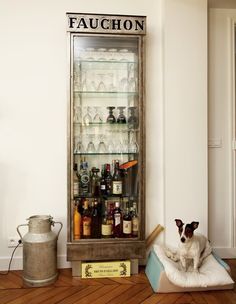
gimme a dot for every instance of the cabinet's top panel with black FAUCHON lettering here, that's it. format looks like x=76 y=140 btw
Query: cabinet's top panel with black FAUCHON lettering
x=106 y=24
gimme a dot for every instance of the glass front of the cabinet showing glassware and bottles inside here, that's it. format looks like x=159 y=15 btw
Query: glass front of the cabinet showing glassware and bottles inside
x=106 y=136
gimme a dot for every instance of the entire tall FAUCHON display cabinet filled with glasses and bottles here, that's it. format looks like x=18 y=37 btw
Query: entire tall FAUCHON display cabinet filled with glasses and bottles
x=106 y=139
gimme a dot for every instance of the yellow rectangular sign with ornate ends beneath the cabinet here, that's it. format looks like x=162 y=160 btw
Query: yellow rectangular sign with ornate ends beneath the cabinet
x=106 y=269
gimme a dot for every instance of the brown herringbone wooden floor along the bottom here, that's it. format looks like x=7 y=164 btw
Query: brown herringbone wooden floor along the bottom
x=133 y=290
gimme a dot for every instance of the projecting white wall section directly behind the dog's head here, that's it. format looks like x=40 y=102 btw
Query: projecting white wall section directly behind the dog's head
x=185 y=103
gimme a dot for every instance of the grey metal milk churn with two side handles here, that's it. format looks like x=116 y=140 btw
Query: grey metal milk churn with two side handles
x=40 y=251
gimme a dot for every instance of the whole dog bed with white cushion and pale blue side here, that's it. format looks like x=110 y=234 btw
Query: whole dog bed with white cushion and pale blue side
x=165 y=275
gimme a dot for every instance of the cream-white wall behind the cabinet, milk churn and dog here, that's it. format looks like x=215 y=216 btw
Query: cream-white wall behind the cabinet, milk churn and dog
x=33 y=106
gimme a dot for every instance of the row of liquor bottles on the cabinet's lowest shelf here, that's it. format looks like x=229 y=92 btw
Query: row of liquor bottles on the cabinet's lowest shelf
x=95 y=218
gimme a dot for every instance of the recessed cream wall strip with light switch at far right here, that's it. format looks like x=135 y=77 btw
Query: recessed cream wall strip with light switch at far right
x=221 y=113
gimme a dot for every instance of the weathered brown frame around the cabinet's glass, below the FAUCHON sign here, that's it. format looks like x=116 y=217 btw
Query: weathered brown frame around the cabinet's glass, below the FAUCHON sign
x=113 y=248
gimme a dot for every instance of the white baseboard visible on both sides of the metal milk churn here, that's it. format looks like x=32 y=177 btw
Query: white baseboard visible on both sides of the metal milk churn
x=17 y=263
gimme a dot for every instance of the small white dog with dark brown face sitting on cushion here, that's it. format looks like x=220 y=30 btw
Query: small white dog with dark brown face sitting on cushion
x=192 y=247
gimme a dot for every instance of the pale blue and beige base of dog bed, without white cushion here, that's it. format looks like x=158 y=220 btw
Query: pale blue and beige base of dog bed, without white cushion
x=160 y=282
